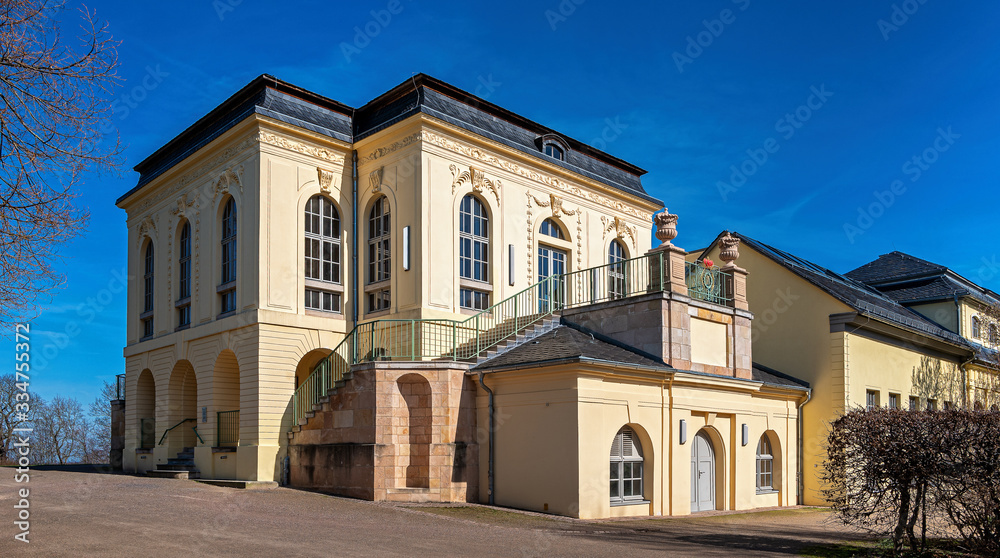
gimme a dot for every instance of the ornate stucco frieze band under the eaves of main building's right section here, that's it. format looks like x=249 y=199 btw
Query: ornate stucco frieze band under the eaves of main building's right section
x=480 y=155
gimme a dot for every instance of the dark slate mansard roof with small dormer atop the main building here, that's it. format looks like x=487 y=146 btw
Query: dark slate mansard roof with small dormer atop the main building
x=269 y=96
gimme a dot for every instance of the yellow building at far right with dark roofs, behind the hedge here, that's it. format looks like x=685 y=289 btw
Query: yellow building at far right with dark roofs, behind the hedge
x=897 y=332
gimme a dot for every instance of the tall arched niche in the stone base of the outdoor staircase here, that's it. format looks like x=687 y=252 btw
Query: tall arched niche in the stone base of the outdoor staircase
x=413 y=431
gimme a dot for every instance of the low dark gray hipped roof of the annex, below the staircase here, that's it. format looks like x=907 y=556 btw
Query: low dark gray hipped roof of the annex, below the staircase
x=565 y=342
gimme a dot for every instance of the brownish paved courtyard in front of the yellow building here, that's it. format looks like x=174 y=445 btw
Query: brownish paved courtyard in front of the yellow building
x=76 y=513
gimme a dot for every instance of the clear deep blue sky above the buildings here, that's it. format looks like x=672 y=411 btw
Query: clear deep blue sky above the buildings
x=790 y=122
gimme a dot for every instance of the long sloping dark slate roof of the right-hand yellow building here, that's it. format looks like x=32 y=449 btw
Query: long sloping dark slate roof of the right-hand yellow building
x=859 y=296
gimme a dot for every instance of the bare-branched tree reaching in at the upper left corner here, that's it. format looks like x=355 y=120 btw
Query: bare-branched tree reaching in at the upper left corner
x=54 y=104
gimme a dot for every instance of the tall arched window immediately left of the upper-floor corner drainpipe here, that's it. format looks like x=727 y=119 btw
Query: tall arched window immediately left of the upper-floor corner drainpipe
x=322 y=238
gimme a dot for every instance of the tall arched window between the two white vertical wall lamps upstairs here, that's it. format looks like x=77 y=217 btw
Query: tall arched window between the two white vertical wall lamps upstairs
x=473 y=253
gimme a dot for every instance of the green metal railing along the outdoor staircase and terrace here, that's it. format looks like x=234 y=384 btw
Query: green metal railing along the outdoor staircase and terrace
x=411 y=340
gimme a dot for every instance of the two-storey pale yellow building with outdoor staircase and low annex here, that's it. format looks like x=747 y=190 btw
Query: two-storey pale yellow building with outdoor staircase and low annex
x=369 y=302
